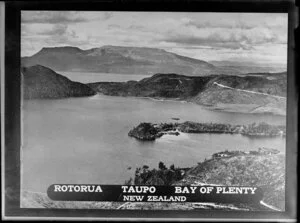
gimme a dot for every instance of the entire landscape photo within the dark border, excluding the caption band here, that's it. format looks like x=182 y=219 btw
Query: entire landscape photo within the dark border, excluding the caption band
x=153 y=98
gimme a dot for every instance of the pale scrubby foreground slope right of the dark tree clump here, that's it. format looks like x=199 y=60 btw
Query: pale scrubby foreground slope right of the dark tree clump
x=265 y=171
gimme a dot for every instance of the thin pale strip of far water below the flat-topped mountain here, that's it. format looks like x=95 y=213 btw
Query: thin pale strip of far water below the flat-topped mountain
x=89 y=77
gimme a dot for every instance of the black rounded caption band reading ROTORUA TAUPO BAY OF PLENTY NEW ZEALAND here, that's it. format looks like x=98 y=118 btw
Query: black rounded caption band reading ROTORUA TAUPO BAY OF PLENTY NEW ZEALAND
x=128 y=193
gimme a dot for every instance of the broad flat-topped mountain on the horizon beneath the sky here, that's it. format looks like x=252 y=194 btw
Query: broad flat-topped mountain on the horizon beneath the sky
x=123 y=60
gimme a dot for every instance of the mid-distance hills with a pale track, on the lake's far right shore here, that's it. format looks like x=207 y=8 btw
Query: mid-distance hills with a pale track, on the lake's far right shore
x=252 y=93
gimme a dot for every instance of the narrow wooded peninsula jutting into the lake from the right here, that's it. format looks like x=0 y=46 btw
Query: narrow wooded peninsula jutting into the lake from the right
x=148 y=131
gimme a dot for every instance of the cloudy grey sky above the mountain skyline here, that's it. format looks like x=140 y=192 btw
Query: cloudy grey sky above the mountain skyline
x=242 y=37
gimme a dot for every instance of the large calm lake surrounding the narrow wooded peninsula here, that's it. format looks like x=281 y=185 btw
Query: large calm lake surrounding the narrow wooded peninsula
x=84 y=140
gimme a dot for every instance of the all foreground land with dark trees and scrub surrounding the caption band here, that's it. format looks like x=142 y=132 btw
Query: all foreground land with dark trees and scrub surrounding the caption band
x=264 y=168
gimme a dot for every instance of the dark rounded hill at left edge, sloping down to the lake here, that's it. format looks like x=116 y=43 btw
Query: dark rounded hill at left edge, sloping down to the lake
x=42 y=82
